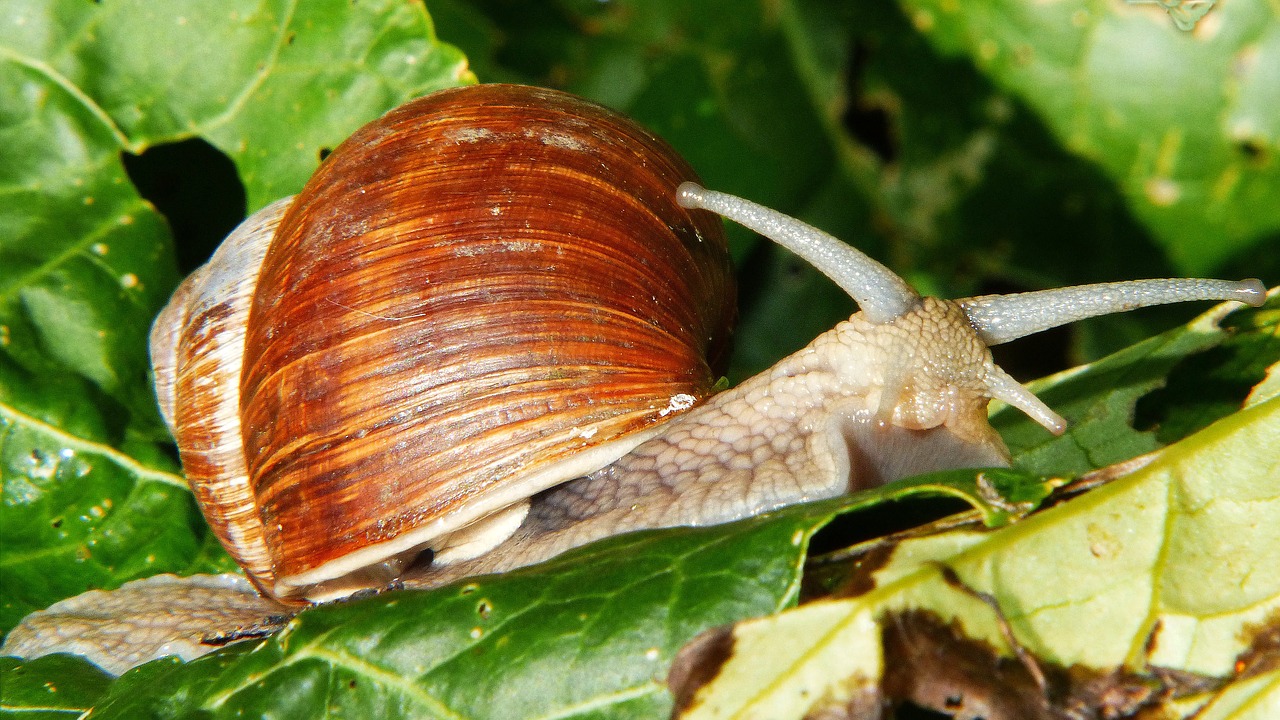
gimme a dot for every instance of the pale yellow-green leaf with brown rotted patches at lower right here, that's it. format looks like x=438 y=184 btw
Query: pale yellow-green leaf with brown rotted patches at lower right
x=1173 y=567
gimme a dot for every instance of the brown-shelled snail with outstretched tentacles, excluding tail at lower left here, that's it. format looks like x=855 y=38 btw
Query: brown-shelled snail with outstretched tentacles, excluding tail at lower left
x=490 y=330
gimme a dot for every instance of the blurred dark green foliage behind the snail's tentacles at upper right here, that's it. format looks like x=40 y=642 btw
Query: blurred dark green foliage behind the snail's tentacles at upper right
x=976 y=148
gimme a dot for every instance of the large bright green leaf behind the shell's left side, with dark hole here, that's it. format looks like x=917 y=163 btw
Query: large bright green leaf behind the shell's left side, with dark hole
x=90 y=493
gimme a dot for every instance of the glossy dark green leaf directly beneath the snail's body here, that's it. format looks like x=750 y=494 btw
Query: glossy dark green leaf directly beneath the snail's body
x=591 y=632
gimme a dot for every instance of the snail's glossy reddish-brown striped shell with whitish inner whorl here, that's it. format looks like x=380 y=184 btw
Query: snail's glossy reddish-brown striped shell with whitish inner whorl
x=486 y=293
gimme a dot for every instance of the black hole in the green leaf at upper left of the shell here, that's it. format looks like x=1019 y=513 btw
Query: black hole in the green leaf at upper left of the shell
x=196 y=189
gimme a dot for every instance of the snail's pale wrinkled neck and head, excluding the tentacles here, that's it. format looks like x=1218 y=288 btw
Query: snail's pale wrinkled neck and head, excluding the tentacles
x=807 y=430
